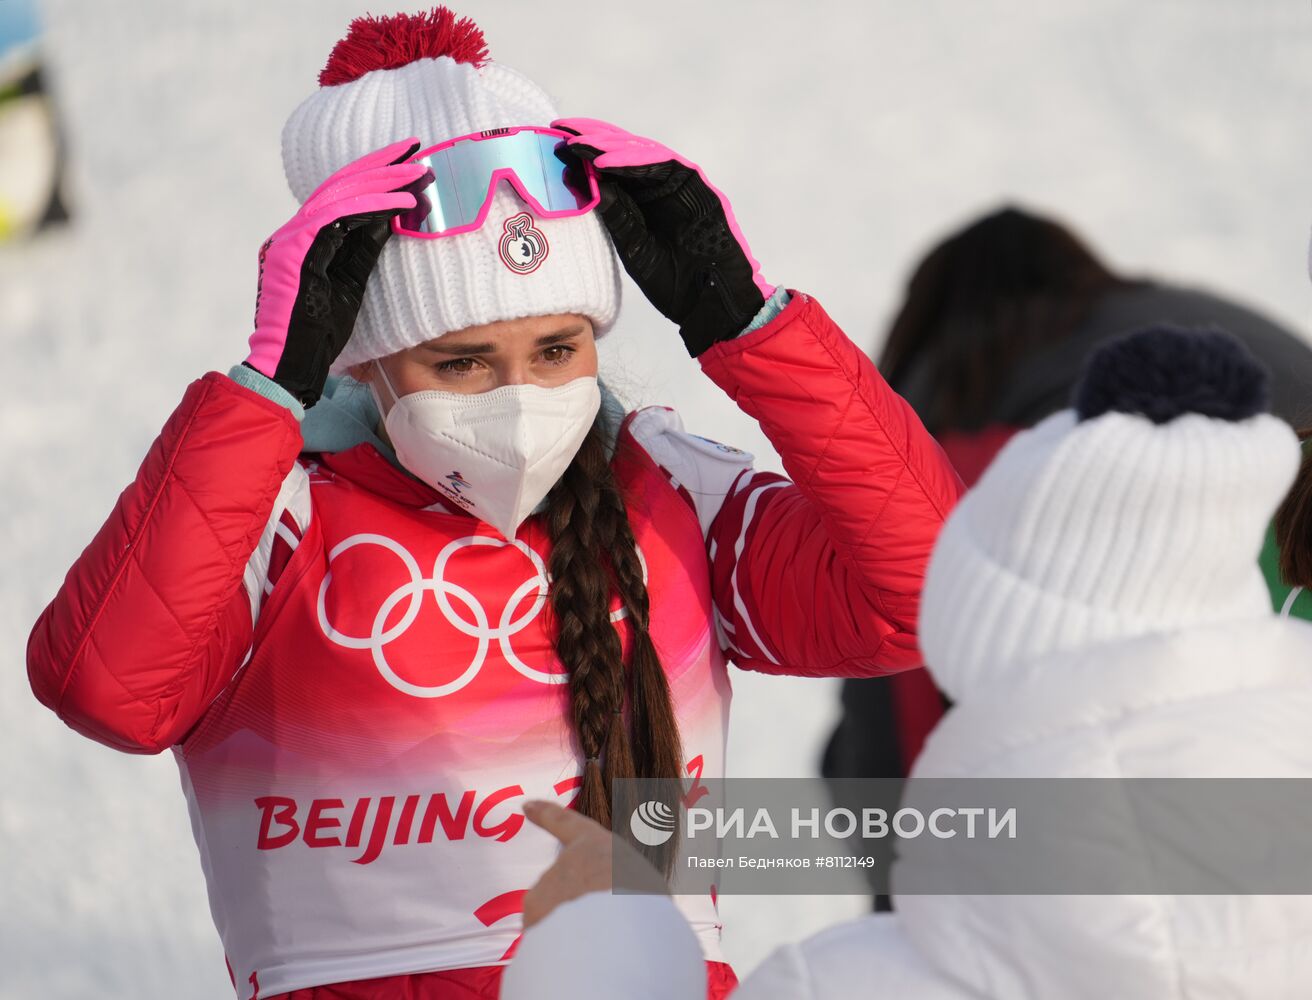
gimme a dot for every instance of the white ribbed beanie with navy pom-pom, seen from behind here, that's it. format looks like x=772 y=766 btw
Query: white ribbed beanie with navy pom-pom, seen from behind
x=1143 y=510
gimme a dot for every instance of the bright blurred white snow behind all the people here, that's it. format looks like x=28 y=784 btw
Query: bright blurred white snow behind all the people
x=1172 y=133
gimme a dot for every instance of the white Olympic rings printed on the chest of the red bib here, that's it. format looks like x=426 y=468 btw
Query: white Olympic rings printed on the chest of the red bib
x=478 y=625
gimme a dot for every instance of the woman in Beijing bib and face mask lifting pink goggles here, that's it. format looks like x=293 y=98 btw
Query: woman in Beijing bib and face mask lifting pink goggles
x=373 y=615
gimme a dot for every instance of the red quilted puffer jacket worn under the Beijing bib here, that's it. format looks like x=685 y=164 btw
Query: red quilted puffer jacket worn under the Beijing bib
x=818 y=577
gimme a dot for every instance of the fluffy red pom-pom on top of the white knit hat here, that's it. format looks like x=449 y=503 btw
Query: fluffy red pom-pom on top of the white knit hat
x=389 y=43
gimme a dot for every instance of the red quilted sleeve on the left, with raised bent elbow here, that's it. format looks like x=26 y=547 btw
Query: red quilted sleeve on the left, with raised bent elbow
x=153 y=619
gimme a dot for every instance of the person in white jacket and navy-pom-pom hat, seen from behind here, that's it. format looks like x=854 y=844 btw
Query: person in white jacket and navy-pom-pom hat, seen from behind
x=1095 y=610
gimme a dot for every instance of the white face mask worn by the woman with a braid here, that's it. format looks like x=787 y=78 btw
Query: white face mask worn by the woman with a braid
x=498 y=453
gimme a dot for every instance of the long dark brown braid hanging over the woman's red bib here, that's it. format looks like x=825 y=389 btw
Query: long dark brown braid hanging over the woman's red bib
x=594 y=556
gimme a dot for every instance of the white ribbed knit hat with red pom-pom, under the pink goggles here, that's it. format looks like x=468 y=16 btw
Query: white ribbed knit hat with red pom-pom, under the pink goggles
x=428 y=77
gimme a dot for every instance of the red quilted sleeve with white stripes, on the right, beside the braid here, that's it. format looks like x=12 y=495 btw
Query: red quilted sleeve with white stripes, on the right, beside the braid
x=823 y=575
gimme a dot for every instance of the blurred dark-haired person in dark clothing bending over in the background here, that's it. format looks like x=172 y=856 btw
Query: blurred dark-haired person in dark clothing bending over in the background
x=996 y=323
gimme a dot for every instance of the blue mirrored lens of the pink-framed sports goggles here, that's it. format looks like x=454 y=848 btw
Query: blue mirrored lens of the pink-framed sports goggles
x=462 y=174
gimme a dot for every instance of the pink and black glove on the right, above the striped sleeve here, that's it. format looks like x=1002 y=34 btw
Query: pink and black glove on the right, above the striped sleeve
x=675 y=233
